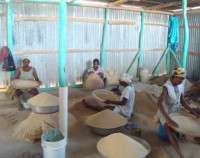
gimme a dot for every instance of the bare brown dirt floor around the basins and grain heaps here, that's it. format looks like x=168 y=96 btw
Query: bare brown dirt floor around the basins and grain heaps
x=82 y=142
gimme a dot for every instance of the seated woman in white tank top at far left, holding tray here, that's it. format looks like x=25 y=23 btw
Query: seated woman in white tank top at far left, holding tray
x=26 y=72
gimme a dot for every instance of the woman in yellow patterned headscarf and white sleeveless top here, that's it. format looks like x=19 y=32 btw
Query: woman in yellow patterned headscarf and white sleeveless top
x=170 y=101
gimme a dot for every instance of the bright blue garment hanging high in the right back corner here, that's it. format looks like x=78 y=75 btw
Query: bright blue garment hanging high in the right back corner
x=173 y=33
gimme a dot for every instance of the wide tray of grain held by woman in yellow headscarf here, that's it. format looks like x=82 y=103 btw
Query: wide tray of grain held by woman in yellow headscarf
x=187 y=124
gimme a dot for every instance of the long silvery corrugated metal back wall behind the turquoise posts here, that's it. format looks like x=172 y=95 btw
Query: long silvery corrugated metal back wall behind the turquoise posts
x=32 y=38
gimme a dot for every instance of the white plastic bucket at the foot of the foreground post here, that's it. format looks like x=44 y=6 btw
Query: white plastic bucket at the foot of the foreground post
x=53 y=149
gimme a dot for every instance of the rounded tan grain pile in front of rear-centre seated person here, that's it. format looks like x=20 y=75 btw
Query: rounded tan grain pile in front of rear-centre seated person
x=93 y=81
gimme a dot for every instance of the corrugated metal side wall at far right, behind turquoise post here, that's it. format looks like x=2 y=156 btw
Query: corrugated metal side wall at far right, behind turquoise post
x=193 y=67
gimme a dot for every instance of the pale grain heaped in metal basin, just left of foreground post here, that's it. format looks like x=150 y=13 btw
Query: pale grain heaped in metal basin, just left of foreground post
x=43 y=99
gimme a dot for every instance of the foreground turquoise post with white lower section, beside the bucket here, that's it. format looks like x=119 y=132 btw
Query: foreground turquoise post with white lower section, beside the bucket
x=63 y=87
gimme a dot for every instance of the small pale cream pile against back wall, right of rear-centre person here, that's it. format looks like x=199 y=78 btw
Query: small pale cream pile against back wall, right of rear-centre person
x=112 y=78
